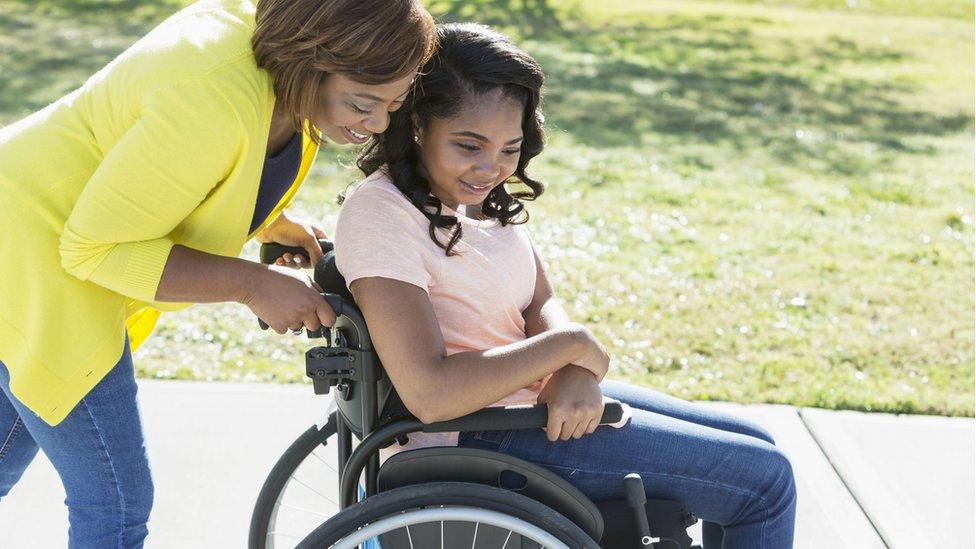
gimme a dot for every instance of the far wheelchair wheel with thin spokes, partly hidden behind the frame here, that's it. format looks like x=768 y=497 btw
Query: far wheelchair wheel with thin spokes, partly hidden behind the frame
x=299 y=493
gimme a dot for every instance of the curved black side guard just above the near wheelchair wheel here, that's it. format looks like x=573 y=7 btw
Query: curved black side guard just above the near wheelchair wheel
x=452 y=464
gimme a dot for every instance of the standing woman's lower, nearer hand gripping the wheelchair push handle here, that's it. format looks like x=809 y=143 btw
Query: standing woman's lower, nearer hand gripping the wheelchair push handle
x=286 y=299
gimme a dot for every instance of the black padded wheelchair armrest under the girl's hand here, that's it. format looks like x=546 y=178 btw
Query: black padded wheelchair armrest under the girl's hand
x=513 y=417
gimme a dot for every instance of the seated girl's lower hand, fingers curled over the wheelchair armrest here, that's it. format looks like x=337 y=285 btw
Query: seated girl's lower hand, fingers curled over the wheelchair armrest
x=575 y=403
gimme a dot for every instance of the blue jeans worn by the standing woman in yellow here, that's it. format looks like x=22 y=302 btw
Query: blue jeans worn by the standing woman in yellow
x=98 y=451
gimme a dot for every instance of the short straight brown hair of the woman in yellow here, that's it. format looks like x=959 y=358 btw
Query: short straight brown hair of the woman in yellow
x=301 y=42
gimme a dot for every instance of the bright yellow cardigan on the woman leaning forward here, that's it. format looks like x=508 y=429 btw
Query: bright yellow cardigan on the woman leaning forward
x=163 y=146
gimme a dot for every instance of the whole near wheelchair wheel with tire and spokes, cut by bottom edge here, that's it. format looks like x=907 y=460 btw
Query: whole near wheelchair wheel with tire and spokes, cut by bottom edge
x=449 y=515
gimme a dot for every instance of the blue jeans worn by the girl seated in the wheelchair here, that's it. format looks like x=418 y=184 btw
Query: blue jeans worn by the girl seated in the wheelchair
x=724 y=469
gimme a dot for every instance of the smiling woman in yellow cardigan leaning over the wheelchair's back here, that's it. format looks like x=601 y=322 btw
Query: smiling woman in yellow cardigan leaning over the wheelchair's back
x=136 y=193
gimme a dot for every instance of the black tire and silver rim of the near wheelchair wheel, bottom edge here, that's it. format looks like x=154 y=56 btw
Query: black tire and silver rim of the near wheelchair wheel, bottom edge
x=443 y=501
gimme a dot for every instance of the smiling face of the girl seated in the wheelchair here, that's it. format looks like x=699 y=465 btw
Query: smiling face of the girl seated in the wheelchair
x=468 y=155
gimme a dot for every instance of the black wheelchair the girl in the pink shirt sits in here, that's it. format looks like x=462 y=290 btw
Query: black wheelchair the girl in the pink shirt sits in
x=445 y=497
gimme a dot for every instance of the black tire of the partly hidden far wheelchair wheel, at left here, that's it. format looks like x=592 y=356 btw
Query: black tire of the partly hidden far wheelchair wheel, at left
x=265 y=508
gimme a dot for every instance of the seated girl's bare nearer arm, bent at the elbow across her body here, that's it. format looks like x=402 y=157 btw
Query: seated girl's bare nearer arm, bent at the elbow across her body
x=436 y=387
